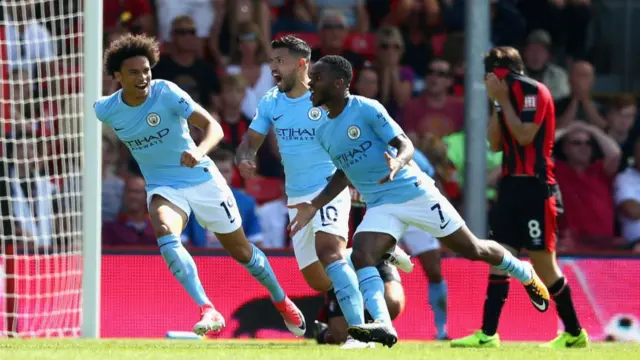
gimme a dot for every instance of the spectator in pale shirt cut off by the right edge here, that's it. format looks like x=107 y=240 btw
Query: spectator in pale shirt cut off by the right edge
x=627 y=199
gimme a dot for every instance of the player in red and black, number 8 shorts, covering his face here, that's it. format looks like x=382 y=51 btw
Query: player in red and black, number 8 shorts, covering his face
x=523 y=126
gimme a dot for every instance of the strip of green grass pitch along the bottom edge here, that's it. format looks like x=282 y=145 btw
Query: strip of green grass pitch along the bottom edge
x=291 y=350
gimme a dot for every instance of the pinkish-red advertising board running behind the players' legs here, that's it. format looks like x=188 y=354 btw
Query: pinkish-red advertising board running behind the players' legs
x=140 y=299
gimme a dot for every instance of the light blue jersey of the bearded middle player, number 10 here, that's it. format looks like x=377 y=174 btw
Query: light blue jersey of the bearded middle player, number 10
x=306 y=165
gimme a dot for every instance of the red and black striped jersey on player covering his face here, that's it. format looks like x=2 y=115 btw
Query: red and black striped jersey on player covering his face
x=533 y=103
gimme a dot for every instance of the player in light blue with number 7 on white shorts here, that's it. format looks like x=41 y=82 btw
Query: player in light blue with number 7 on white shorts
x=372 y=153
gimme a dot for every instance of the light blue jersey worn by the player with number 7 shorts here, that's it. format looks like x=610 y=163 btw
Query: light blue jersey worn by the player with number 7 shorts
x=357 y=139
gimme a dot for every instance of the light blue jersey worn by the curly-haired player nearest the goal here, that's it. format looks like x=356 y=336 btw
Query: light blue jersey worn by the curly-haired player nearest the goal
x=156 y=132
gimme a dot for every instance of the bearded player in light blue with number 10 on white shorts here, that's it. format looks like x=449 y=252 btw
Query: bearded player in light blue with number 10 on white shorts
x=288 y=110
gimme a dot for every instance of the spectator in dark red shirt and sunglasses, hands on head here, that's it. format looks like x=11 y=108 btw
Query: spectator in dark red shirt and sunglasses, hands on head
x=586 y=181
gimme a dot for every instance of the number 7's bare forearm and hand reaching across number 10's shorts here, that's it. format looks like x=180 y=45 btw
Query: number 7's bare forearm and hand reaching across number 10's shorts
x=307 y=210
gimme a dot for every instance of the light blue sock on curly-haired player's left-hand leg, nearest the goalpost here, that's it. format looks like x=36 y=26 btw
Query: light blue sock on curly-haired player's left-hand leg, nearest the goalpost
x=182 y=267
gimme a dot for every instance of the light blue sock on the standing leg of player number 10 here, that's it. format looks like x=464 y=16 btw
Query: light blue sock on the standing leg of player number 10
x=345 y=285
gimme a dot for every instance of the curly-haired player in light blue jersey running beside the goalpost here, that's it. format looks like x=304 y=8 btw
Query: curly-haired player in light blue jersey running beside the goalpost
x=150 y=117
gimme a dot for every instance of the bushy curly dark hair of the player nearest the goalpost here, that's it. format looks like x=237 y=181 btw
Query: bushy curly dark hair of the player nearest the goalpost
x=130 y=46
